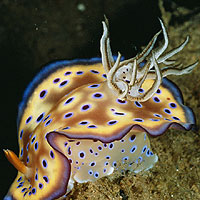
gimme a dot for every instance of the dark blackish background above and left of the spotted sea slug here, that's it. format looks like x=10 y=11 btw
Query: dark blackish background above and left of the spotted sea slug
x=33 y=33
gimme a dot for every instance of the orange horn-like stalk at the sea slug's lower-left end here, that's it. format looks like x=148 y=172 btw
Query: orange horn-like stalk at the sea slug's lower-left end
x=16 y=162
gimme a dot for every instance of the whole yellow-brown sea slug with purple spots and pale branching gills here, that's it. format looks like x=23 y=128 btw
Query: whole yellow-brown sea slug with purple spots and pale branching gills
x=79 y=120
